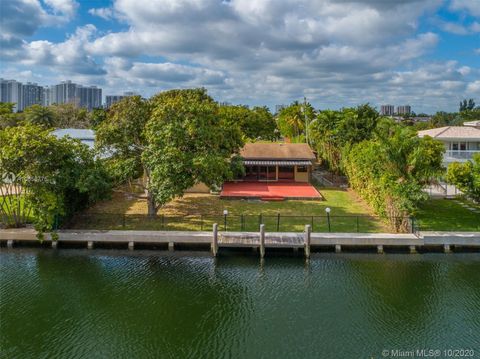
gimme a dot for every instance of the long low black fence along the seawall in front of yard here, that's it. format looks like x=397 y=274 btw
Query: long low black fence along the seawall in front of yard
x=244 y=223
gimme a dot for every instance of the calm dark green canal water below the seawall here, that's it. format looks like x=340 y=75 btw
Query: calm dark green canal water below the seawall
x=145 y=304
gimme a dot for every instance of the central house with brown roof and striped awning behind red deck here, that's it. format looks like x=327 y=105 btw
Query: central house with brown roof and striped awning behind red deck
x=272 y=162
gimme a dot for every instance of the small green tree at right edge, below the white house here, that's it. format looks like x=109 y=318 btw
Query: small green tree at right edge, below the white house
x=466 y=176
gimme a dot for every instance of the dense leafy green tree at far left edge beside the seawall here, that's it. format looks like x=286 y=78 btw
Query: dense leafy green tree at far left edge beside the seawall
x=52 y=177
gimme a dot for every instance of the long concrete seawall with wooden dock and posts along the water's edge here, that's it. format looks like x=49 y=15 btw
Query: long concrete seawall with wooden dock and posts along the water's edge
x=260 y=241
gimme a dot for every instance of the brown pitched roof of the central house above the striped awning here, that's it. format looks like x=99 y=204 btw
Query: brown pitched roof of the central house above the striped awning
x=277 y=151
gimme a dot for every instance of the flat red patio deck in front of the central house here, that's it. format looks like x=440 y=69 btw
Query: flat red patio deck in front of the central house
x=269 y=191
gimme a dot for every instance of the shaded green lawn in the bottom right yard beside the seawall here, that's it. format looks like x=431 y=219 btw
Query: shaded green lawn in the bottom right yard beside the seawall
x=447 y=215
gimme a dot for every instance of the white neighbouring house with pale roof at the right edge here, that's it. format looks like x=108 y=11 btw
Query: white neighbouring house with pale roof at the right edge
x=461 y=142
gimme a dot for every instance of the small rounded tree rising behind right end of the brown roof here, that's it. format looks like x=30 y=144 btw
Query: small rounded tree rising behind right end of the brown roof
x=291 y=120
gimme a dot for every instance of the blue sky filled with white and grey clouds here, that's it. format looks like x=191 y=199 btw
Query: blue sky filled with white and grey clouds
x=336 y=53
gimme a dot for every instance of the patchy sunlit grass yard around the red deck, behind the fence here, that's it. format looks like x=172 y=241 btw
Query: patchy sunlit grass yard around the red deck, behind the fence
x=200 y=211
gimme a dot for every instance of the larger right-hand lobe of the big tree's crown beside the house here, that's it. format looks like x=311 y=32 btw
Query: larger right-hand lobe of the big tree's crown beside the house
x=188 y=142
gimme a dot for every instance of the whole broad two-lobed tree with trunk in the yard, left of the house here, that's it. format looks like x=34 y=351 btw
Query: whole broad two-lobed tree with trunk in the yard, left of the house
x=175 y=140
